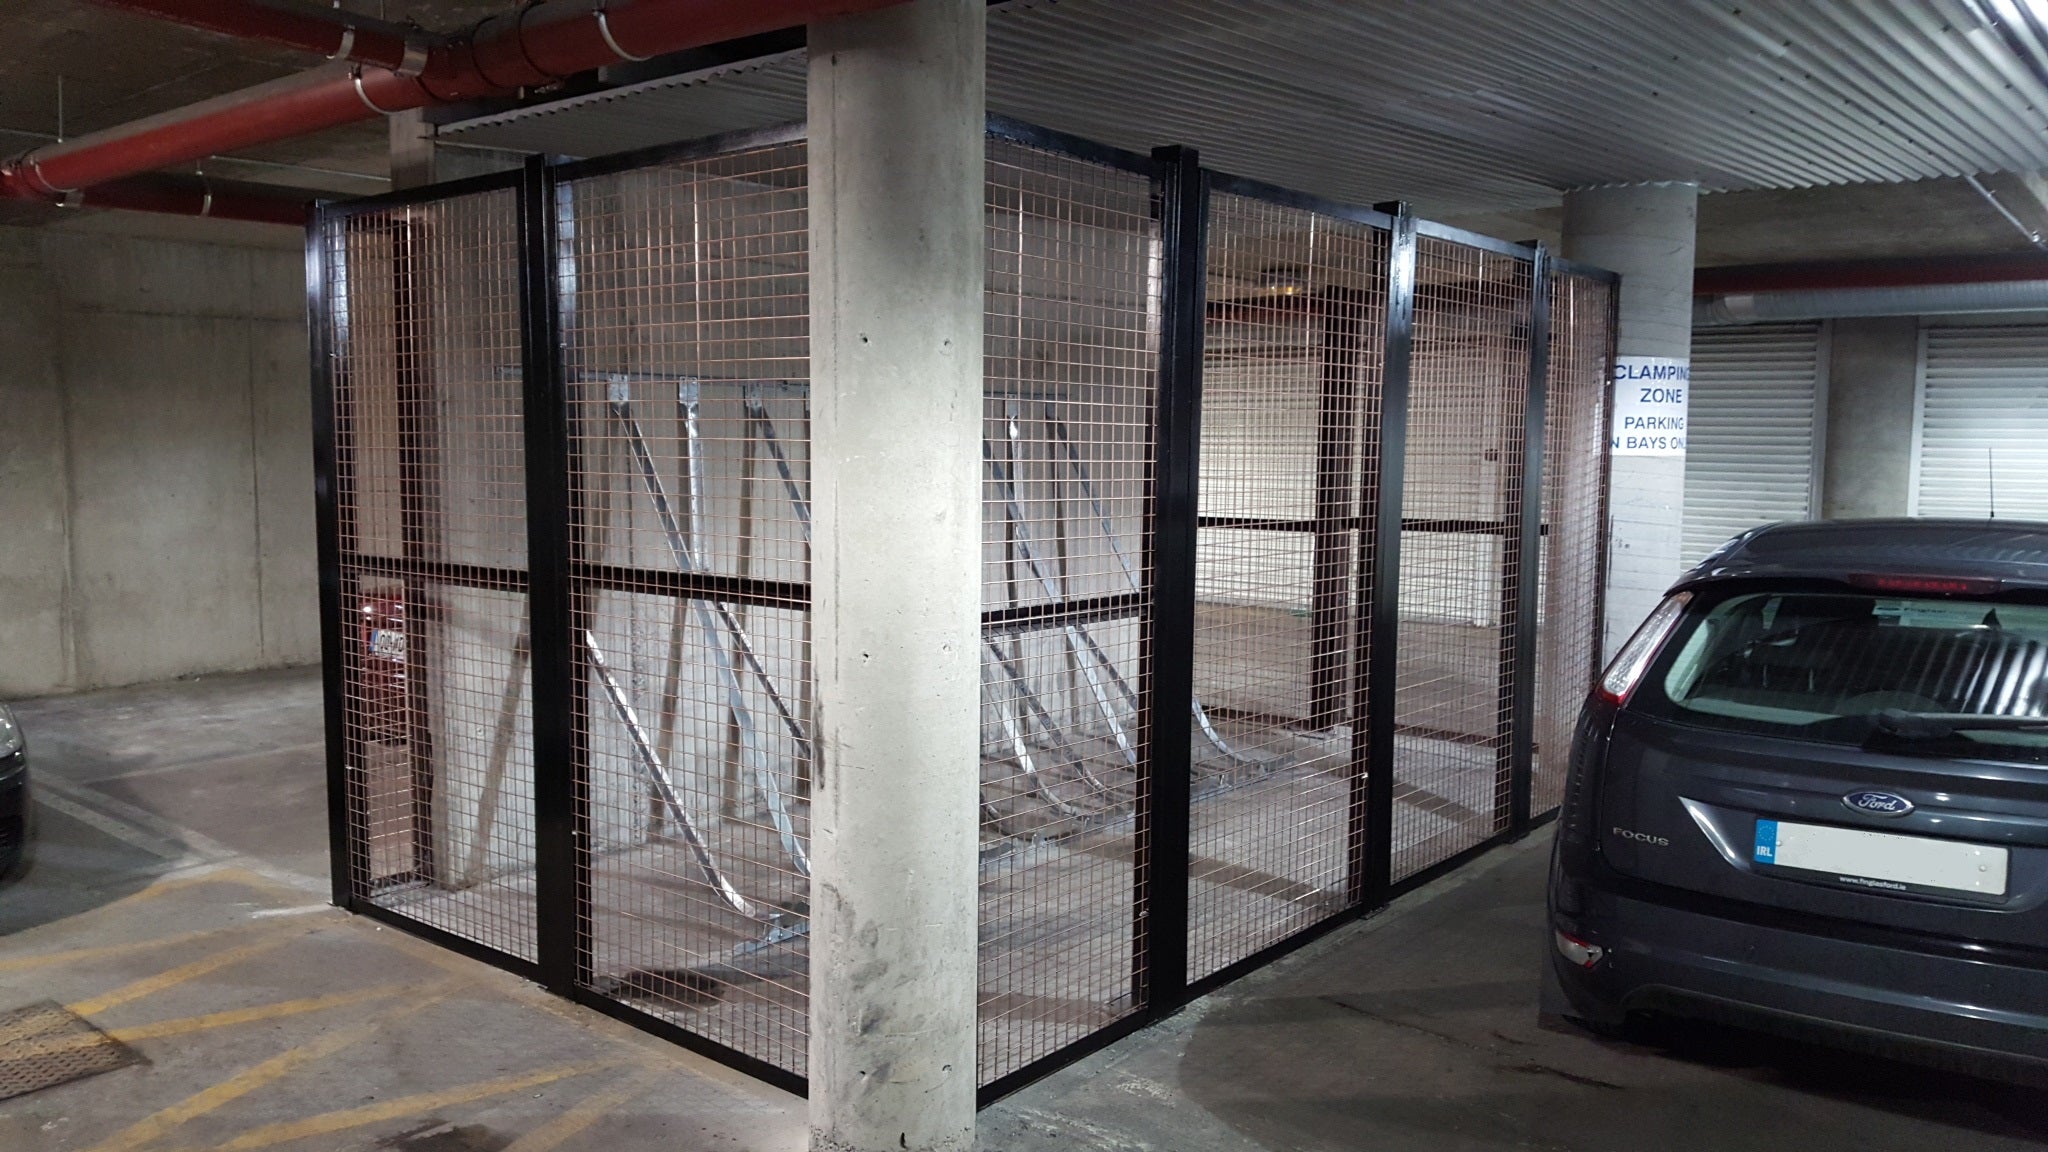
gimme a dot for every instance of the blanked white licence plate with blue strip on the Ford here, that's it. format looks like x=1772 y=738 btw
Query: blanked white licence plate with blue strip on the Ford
x=1883 y=862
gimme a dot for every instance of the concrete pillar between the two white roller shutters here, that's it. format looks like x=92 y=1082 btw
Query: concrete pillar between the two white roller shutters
x=1873 y=384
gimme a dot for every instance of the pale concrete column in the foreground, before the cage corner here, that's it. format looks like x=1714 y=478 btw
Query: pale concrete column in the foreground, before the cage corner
x=896 y=423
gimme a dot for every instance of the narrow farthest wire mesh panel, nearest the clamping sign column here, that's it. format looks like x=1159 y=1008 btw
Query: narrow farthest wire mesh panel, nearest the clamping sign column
x=1576 y=466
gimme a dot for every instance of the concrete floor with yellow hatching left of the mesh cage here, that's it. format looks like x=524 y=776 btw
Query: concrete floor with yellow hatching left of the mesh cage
x=179 y=901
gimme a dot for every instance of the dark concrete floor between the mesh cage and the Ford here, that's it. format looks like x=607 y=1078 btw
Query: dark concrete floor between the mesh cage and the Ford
x=1418 y=1032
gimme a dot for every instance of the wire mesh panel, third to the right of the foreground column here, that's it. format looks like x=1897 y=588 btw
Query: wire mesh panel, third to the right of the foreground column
x=1469 y=384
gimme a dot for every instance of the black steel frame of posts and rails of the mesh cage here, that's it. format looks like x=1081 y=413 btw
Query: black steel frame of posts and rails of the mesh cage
x=1357 y=554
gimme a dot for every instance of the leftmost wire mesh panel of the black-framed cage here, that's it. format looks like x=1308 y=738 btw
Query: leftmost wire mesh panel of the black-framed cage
x=425 y=339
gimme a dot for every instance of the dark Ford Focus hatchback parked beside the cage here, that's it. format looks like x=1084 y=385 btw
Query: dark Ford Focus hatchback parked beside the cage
x=1811 y=796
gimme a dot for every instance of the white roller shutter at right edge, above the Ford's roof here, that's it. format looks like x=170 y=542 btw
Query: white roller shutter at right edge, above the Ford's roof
x=1981 y=442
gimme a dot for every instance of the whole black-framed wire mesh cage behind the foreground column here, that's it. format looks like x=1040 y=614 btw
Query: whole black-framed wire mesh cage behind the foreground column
x=1261 y=614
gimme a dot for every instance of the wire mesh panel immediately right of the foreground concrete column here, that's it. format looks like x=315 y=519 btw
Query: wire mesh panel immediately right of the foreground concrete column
x=1072 y=370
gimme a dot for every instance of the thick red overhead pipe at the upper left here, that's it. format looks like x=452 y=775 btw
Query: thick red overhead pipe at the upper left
x=536 y=46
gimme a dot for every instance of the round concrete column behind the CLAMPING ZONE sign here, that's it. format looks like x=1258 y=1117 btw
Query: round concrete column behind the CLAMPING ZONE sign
x=1646 y=233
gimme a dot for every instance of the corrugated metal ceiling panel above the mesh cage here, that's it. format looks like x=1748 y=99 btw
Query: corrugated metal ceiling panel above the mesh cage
x=1459 y=106
